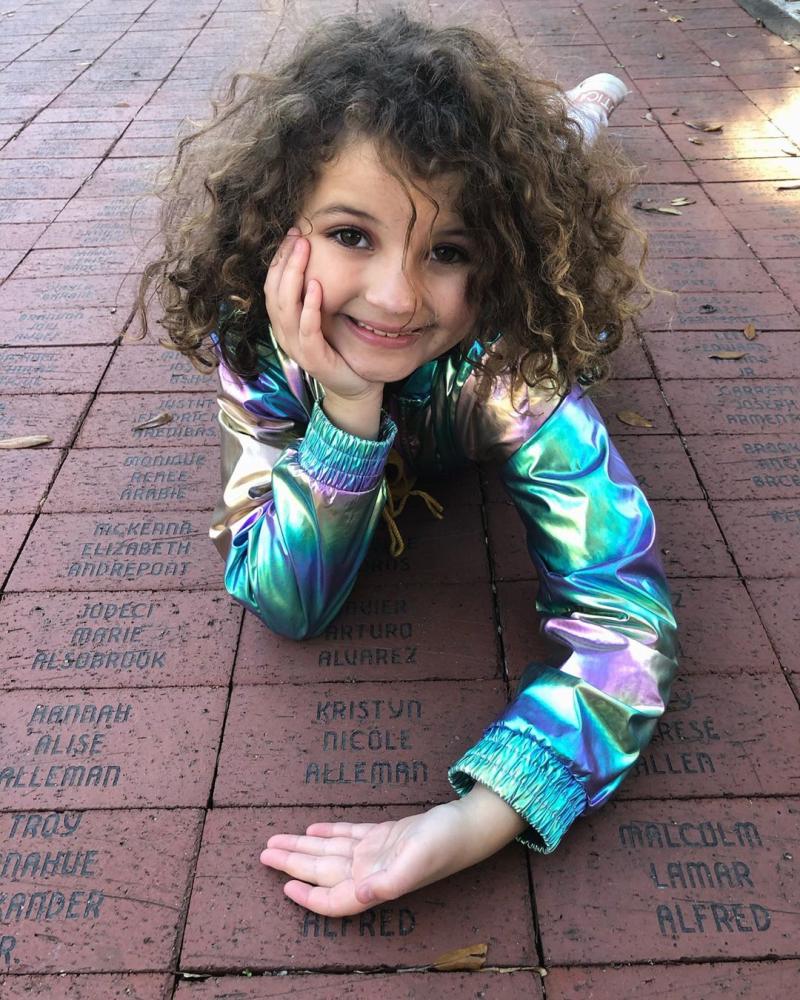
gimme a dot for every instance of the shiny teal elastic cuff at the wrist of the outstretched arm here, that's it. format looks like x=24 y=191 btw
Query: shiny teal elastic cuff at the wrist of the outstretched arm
x=529 y=778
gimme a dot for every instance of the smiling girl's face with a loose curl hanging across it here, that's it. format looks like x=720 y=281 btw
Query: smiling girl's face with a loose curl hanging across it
x=359 y=216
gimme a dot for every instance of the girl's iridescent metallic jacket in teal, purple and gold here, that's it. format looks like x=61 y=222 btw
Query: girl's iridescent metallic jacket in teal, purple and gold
x=300 y=504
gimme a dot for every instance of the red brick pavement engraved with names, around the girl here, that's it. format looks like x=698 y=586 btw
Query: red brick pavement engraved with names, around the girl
x=152 y=739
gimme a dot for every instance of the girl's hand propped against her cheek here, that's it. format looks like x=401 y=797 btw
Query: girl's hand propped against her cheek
x=297 y=323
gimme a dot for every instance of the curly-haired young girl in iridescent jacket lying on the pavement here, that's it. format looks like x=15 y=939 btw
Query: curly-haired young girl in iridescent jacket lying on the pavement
x=401 y=240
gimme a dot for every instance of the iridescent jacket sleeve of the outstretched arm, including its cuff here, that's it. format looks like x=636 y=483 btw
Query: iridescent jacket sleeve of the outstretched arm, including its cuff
x=572 y=732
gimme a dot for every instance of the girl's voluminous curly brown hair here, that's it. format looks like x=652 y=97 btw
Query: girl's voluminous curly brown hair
x=548 y=210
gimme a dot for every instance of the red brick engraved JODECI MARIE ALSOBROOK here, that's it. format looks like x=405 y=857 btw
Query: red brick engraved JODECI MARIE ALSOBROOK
x=139 y=639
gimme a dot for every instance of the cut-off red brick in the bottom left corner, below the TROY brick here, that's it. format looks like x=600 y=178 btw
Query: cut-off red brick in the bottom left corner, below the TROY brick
x=133 y=986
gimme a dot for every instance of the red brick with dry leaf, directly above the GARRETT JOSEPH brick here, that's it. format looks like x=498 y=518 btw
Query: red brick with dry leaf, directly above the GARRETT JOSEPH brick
x=687 y=354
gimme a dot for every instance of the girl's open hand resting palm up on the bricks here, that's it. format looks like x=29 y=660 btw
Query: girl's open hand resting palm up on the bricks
x=340 y=869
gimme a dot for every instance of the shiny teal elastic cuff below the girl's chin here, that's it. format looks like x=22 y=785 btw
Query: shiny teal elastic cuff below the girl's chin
x=336 y=458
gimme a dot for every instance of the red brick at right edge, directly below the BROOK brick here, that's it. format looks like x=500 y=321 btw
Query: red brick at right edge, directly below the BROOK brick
x=764 y=536
